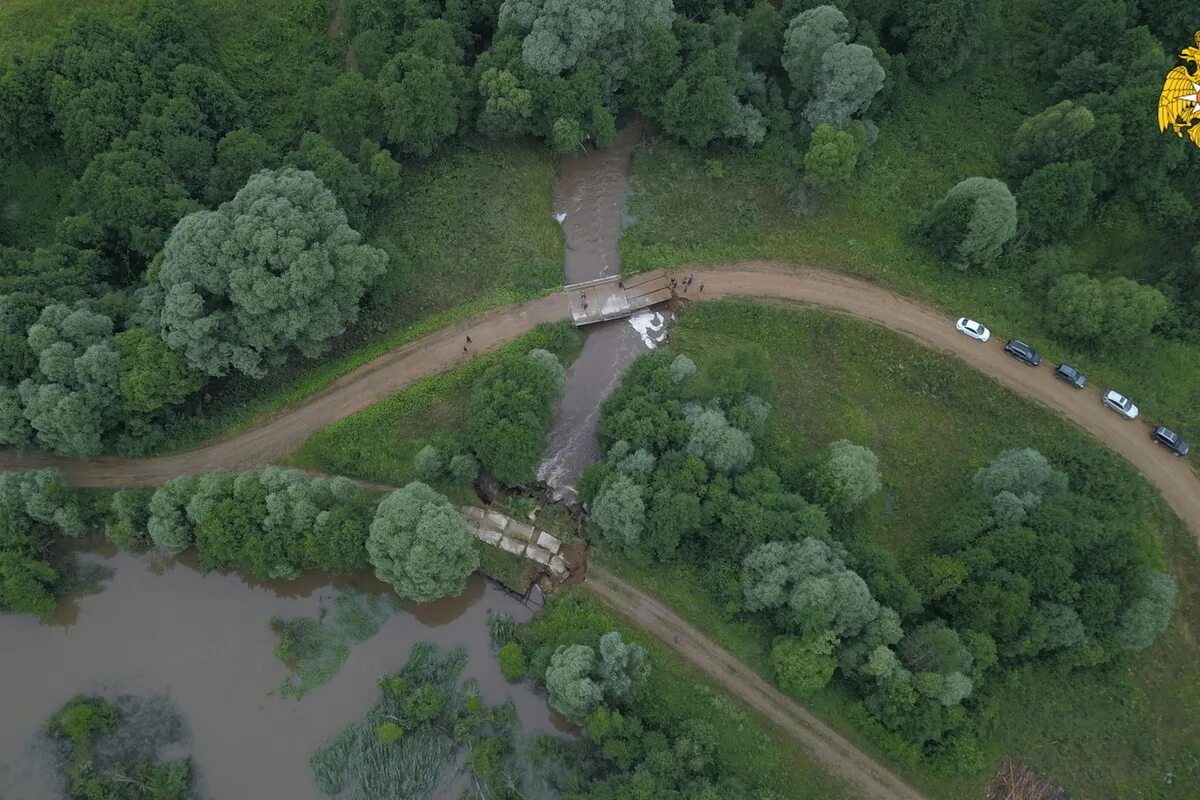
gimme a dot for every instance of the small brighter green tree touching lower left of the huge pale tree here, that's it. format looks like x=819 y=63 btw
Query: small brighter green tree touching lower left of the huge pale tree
x=153 y=375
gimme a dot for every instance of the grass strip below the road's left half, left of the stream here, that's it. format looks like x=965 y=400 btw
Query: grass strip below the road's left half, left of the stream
x=379 y=443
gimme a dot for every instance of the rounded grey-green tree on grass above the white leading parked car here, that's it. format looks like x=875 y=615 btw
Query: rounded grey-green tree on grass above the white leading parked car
x=971 y=225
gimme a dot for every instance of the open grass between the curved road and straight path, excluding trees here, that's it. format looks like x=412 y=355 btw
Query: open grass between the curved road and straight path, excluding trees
x=933 y=422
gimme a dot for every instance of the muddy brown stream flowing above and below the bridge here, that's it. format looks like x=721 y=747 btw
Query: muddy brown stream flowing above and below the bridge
x=592 y=193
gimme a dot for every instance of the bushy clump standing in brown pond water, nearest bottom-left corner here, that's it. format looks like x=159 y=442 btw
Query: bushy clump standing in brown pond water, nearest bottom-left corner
x=111 y=750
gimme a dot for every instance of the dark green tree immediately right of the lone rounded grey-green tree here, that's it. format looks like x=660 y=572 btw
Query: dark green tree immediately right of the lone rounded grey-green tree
x=1055 y=201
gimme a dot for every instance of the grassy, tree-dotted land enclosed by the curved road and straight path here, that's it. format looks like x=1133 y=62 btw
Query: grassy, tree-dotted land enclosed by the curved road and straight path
x=932 y=545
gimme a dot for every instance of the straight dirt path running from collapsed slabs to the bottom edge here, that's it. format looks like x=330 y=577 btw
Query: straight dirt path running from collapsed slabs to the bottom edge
x=842 y=759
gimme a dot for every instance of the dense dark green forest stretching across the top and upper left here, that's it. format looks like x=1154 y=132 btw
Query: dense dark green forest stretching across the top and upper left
x=121 y=314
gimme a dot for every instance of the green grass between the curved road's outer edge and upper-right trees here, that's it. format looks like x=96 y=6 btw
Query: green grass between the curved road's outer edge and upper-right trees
x=685 y=216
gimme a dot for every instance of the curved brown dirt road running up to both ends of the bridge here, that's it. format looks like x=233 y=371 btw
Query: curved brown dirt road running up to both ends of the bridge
x=279 y=435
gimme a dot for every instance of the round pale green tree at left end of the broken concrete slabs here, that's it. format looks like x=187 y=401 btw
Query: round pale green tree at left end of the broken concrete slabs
x=421 y=545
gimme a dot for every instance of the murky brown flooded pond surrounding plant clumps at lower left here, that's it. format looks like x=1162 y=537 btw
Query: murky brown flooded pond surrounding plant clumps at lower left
x=202 y=640
